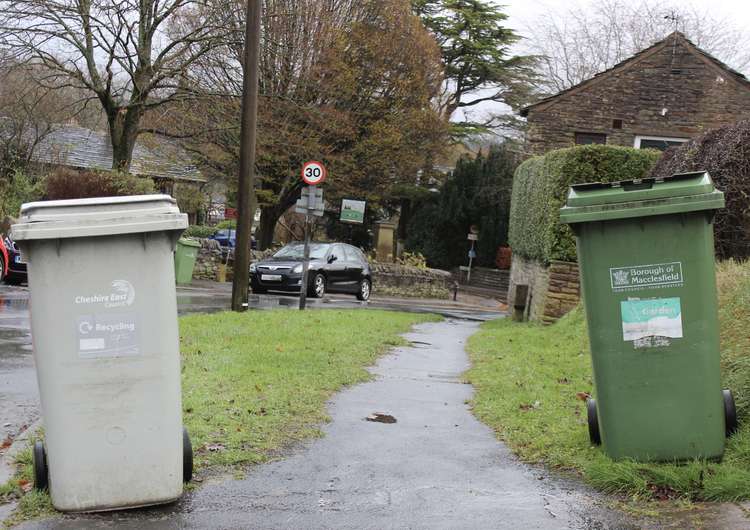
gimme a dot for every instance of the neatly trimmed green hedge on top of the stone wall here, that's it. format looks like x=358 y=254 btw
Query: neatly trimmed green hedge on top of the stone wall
x=540 y=187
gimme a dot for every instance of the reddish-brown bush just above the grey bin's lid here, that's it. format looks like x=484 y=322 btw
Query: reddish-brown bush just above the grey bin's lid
x=66 y=183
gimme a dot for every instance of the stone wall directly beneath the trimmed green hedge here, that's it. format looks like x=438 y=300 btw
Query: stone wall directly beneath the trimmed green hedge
x=553 y=290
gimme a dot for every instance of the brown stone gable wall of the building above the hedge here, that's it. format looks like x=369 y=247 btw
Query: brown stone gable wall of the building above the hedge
x=663 y=95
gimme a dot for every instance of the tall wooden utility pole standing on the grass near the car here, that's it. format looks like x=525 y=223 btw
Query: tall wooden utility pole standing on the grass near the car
x=246 y=203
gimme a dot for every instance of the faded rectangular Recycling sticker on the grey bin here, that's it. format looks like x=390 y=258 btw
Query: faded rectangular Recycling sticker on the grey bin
x=108 y=335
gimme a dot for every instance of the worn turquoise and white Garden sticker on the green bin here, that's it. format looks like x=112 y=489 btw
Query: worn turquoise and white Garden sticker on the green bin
x=657 y=317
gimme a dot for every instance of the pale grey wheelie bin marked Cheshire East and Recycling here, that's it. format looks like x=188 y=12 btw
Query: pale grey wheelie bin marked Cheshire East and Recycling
x=106 y=348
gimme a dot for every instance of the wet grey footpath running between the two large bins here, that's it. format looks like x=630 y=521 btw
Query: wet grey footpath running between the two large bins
x=436 y=467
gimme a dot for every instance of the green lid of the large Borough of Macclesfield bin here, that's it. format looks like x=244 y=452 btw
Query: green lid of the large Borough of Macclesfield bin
x=598 y=201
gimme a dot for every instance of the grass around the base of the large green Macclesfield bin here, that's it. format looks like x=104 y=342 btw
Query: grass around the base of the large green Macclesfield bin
x=527 y=378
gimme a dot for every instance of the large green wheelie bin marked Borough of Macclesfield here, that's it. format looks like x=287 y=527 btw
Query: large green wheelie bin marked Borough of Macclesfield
x=646 y=256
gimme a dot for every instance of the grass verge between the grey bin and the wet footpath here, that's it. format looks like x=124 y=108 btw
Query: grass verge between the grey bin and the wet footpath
x=253 y=383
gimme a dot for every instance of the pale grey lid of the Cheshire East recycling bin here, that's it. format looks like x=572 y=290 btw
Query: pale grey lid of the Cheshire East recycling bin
x=100 y=216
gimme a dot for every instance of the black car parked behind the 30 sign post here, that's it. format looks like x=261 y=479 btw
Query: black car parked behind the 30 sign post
x=334 y=267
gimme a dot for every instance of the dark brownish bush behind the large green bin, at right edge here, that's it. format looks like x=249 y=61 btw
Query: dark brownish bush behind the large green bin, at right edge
x=725 y=154
